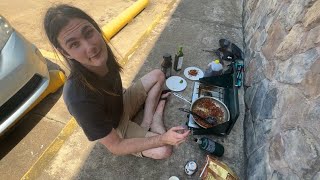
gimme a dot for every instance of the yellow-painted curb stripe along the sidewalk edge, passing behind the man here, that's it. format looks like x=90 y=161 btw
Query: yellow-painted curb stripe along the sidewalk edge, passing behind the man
x=65 y=133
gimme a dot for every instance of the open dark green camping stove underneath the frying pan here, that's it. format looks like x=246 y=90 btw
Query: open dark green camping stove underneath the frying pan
x=223 y=88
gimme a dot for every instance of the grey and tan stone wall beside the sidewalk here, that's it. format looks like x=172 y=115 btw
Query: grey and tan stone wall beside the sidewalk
x=282 y=82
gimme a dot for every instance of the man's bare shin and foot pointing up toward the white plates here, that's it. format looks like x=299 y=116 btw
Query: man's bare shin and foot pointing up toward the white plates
x=157 y=124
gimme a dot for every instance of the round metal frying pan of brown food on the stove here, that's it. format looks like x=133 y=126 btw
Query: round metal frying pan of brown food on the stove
x=195 y=105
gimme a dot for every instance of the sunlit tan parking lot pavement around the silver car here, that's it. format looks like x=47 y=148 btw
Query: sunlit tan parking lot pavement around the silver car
x=23 y=146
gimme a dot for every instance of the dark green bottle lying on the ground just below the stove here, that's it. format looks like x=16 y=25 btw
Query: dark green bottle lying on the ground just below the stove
x=210 y=146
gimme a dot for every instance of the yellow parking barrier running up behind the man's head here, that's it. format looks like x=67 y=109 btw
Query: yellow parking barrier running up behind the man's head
x=113 y=27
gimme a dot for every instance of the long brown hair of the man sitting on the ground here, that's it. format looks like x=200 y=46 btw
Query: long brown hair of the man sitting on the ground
x=58 y=17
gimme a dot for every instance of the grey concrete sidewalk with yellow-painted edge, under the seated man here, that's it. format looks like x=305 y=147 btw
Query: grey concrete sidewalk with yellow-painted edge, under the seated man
x=194 y=25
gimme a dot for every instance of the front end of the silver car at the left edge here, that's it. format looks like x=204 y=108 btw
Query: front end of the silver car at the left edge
x=24 y=75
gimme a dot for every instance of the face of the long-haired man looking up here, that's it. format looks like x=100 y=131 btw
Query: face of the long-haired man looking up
x=82 y=42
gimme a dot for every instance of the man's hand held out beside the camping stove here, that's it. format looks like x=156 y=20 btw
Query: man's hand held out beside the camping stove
x=172 y=137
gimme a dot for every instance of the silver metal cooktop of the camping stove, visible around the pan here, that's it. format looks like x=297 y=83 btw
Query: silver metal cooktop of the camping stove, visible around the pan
x=200 y=90
